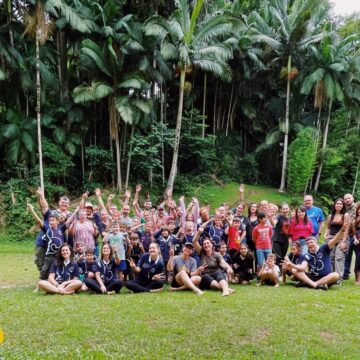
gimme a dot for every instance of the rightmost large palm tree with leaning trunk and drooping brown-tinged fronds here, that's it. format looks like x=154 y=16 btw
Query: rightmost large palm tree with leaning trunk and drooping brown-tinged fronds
x=331 y=77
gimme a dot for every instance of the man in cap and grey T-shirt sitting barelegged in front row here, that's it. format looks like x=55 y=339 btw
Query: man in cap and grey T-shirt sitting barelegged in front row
x=185 y=272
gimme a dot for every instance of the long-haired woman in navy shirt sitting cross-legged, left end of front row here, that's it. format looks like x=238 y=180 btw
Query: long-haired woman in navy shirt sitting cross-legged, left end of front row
x=64 y=274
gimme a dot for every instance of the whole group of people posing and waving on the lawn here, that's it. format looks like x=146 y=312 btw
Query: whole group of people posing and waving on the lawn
x=102 y=248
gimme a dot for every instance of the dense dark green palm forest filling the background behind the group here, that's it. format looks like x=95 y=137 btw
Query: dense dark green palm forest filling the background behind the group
x=111 y=72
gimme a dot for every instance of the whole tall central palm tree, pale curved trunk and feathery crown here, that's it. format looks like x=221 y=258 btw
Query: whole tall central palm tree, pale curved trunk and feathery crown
x=190 y=42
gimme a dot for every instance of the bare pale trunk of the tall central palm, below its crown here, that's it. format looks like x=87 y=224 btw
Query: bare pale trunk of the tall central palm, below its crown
x=177 y=131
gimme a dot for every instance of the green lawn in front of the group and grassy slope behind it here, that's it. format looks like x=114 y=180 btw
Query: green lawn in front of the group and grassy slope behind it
x=255 y=322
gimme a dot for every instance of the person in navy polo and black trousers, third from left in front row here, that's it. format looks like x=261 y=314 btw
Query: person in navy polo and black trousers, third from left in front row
x=150 y=270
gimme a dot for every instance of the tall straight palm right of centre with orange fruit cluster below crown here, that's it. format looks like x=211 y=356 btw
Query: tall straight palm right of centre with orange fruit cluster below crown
x=289 y=28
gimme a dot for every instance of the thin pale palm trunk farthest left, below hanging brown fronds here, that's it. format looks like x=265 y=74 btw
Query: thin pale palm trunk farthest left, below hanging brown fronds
x=38 y=107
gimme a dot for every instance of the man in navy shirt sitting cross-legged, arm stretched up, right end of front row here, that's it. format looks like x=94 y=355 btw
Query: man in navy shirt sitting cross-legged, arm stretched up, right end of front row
x=318 y=259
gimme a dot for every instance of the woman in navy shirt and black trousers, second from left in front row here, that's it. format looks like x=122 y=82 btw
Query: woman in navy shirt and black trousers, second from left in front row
x=106 y=281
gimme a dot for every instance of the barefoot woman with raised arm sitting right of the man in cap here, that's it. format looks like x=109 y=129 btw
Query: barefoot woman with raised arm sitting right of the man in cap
x=211 y=265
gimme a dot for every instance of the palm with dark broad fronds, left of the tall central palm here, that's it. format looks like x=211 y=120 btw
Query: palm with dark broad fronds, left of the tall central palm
x=126 y=95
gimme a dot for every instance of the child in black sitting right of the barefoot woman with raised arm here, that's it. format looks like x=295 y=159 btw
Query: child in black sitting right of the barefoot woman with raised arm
x=243 y=266
